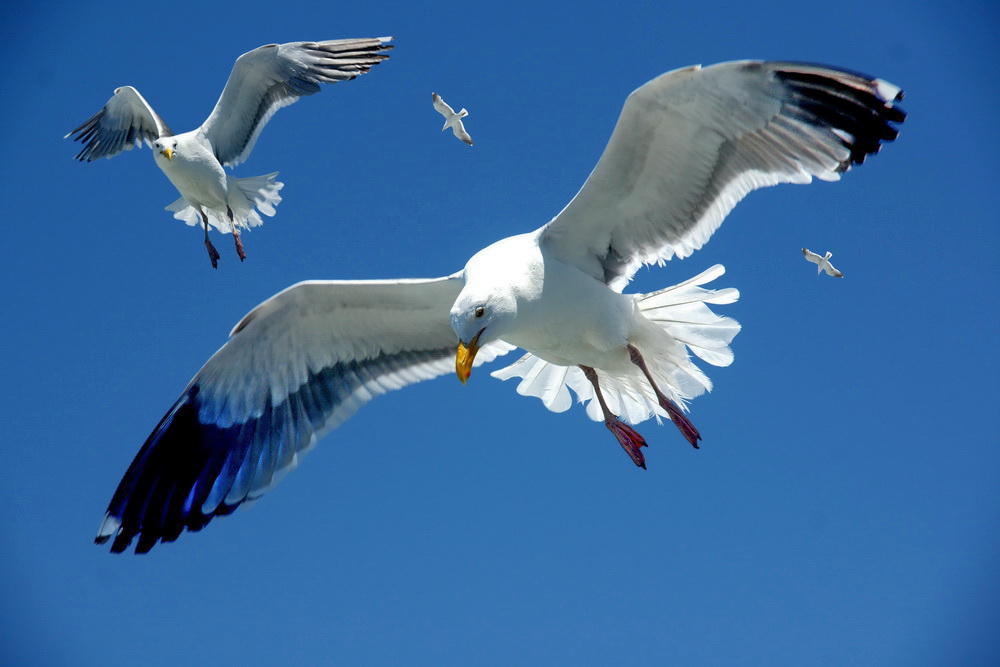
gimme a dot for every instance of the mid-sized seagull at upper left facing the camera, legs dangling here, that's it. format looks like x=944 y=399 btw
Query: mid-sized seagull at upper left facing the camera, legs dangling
x=262 y=81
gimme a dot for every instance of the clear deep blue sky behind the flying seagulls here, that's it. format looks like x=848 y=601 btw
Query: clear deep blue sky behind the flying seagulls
x=843 y=508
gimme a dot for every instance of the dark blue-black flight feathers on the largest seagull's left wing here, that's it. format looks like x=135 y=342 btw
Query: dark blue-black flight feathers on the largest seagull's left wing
x=189 y=471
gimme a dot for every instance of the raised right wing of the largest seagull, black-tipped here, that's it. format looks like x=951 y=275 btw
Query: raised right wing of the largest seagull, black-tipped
x=690 y=144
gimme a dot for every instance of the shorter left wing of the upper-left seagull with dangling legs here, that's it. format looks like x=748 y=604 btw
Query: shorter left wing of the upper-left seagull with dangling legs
x=126 y=121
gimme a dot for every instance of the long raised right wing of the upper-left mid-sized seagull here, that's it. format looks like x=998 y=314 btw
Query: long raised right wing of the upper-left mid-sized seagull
x=274 y=76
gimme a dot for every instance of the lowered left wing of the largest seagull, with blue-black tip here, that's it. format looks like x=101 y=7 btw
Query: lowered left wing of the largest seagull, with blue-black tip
x=296 y=367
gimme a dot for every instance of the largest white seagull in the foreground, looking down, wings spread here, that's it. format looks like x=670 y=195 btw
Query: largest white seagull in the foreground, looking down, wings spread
x=687 y=147
